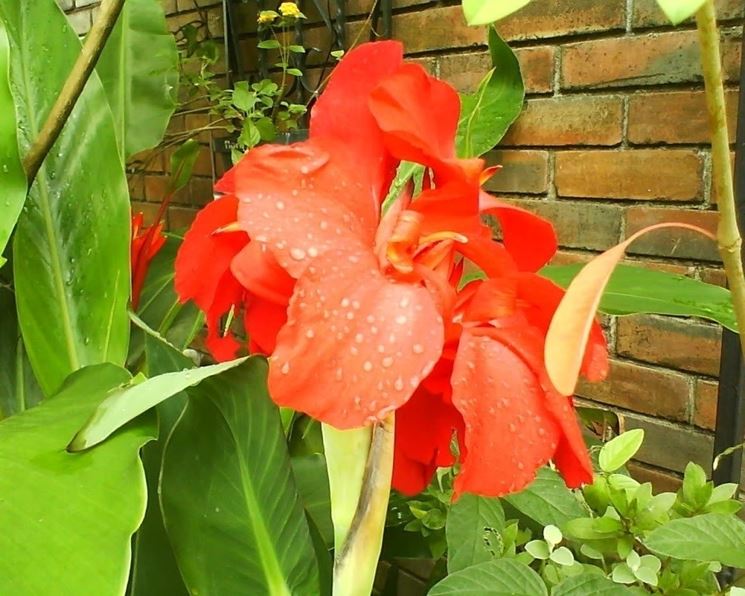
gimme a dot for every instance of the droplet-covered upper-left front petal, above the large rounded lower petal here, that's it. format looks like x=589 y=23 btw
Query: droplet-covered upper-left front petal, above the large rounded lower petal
x=303 y=200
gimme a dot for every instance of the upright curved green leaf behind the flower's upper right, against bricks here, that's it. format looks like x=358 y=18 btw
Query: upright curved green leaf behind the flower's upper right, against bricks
x=487 y=114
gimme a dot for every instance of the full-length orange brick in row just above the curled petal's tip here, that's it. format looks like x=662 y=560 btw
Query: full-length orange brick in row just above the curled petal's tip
x=643 y=174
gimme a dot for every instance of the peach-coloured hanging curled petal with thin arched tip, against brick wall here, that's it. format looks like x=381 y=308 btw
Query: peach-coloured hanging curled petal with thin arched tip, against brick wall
x=570 y=328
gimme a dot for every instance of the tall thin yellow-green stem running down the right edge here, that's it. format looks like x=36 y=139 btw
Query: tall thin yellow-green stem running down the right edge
x=728 y=234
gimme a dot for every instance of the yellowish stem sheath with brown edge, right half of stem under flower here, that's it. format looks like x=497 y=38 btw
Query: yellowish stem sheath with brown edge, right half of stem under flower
x=356 y=562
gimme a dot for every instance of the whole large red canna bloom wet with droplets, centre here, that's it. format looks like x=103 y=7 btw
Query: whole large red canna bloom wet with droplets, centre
x=375 y=321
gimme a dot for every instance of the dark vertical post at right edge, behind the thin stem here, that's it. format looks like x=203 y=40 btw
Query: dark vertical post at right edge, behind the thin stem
x=730 y=425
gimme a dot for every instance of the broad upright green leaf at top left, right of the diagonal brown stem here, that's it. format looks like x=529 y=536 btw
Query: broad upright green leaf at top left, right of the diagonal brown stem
x=139 y=72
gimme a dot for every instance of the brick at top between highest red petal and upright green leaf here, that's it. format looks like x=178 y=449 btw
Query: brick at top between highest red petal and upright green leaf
x=436 y=28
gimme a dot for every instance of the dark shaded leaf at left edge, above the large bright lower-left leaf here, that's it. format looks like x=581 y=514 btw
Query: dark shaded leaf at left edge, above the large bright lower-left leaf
x=19 y=389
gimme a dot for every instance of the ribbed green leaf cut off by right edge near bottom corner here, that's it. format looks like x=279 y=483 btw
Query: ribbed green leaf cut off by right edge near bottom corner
x=709 y=537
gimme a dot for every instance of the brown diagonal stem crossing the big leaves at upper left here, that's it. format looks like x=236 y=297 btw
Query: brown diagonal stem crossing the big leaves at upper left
x=73 y=87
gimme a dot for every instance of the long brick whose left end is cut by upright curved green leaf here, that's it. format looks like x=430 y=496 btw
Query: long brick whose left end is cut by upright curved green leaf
x=569 y=120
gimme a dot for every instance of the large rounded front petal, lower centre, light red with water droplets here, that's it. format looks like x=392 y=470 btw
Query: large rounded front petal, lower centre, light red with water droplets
x=356 y=344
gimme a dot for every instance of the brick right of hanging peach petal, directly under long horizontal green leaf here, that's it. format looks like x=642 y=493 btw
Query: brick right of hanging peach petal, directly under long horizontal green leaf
x=675 y=343
